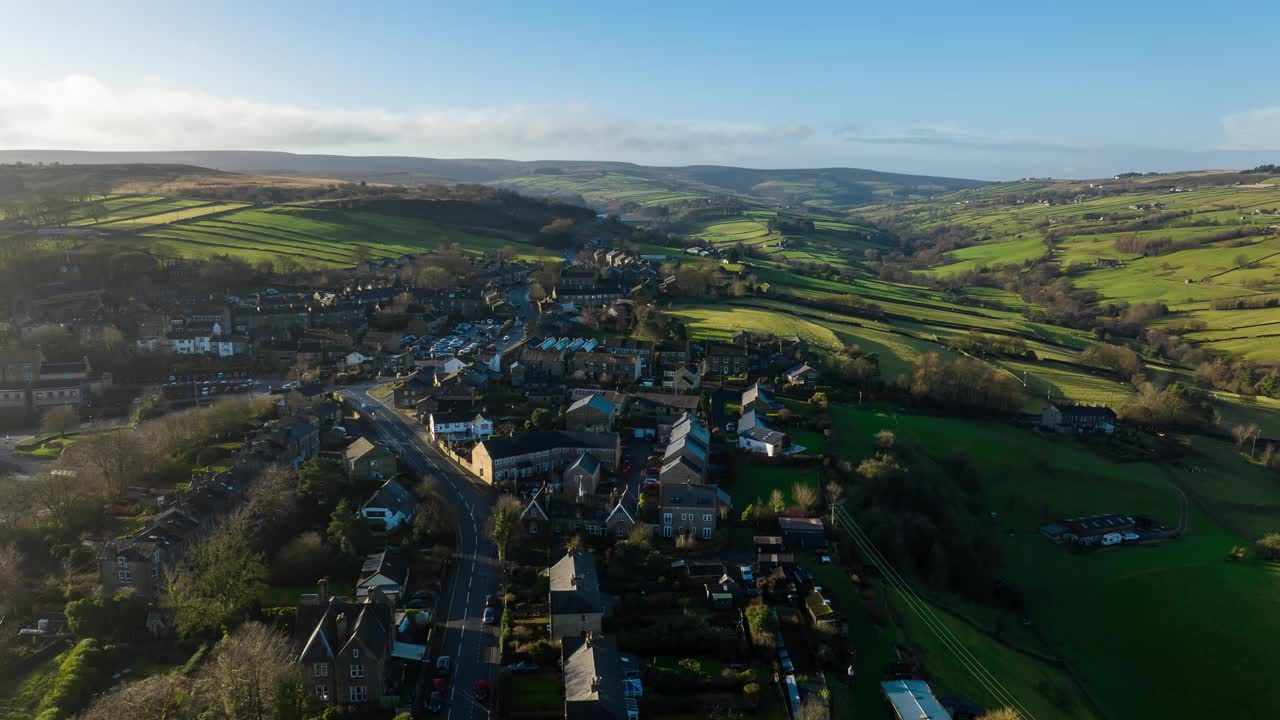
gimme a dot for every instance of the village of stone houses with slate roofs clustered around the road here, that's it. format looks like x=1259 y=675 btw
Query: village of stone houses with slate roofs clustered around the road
x=563 y=454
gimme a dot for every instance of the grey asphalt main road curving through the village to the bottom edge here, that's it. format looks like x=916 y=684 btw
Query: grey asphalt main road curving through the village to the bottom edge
x=472 y=645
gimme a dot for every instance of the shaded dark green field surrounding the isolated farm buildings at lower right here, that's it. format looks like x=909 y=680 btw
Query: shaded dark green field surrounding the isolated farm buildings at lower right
x=1124 y=618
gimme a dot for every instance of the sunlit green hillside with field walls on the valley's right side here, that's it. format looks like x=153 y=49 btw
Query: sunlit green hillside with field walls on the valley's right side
x=1205 y=245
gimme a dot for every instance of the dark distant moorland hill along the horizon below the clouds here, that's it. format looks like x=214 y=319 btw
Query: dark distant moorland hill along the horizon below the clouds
x=602 y=185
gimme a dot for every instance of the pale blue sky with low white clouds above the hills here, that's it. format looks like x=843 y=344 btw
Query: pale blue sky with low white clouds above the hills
x=990 y=90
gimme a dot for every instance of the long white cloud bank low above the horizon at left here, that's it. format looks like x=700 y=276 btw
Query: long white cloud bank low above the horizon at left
x=81 y=112
